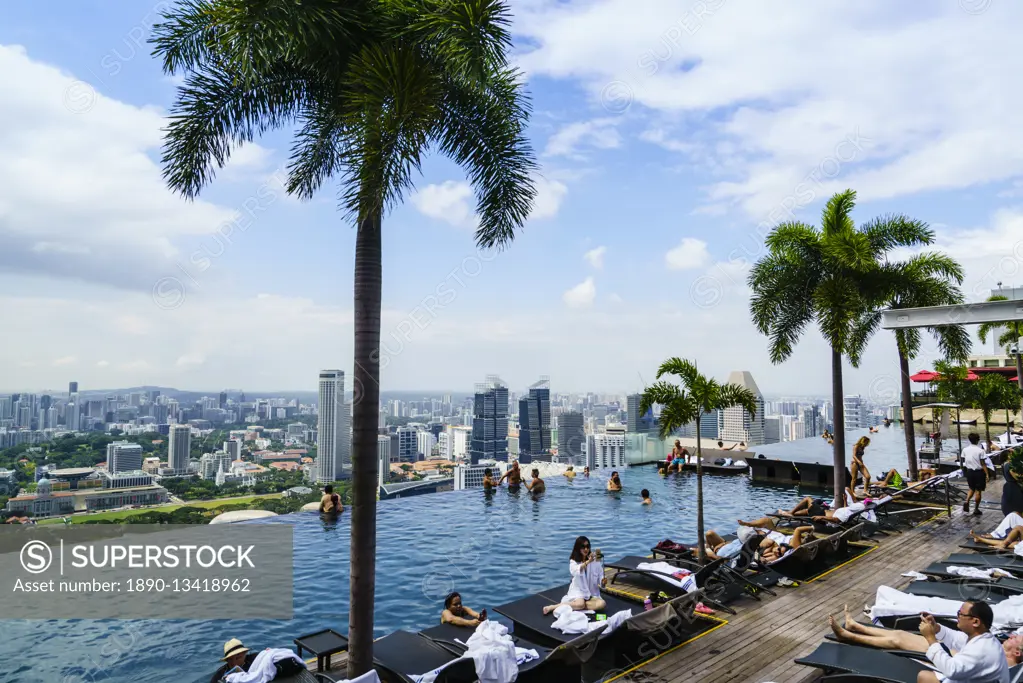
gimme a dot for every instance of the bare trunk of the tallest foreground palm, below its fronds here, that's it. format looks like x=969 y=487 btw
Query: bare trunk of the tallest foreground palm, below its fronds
x=366 y=414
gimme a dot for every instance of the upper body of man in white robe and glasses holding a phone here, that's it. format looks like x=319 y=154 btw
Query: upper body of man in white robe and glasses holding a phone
x=980 y=657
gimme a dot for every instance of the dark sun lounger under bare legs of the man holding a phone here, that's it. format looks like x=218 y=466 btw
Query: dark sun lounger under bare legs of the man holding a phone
x=838 y=661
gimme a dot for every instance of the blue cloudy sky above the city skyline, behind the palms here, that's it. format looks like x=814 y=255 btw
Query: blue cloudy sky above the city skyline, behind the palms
x=672 y=136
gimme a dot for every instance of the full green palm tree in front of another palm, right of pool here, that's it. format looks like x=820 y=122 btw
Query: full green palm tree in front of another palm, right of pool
x=831 y=277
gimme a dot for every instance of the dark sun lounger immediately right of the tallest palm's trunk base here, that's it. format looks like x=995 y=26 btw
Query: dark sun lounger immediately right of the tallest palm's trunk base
x=402 y=655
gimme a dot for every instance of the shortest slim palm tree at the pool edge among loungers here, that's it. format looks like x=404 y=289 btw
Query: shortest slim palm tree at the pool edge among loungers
x=685 y=403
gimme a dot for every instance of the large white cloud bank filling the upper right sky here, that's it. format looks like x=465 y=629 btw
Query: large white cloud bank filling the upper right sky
x=893 y=113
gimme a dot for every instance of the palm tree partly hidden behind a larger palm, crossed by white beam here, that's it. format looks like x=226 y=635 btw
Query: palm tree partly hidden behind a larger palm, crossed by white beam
x=927 y=280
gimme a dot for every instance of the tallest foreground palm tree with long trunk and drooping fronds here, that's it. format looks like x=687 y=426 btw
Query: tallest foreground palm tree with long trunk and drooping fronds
x=371 y=86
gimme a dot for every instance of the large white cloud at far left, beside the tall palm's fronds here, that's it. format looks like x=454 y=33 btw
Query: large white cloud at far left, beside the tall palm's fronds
x=81 y=195
